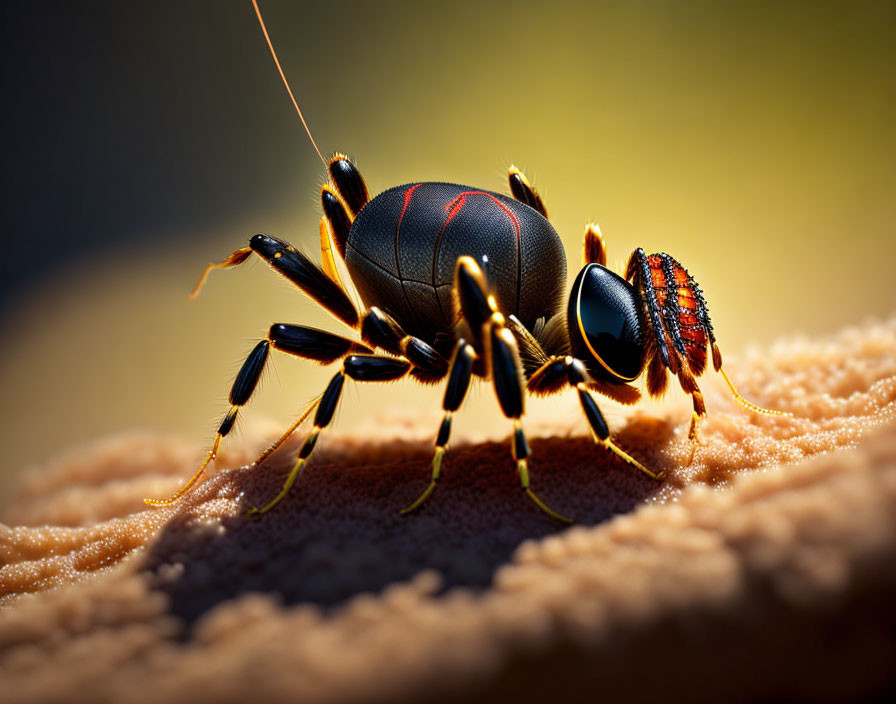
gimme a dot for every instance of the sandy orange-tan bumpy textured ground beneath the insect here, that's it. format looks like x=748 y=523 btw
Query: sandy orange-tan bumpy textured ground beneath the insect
x=765 y=569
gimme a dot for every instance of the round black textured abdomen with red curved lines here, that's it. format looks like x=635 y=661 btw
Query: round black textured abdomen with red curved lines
x=404 y=244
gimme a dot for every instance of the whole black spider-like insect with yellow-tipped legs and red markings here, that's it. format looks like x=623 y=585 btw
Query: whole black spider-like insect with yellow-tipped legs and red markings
x=461 y=282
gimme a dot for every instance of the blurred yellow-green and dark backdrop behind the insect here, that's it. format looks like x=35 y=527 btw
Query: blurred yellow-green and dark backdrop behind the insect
x=755 y=142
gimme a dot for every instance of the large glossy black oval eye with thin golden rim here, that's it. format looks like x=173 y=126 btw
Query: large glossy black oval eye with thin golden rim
x=605 y=329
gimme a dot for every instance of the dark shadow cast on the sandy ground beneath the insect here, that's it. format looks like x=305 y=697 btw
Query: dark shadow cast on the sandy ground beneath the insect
x=339 y=532
